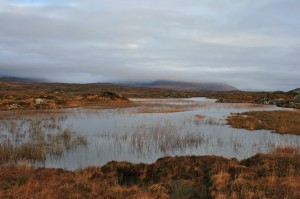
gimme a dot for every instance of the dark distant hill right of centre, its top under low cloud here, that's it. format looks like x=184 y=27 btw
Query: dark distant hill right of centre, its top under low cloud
x=188 y=86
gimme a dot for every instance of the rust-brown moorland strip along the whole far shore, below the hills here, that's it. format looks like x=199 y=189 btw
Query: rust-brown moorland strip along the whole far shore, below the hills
x=21 y=96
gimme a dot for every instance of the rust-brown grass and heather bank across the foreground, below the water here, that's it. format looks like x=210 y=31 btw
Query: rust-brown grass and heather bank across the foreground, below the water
x=275 y=175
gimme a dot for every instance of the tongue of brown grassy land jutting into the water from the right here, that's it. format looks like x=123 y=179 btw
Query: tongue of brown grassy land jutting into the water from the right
x=284 y=122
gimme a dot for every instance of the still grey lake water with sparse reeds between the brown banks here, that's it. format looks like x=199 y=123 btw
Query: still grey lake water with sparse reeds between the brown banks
x=153 y=128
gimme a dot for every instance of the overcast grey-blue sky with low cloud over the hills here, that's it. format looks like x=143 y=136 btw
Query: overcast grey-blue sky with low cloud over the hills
x=250 y=44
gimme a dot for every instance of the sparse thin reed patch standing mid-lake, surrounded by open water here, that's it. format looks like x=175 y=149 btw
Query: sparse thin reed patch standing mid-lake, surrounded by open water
x=159 y=138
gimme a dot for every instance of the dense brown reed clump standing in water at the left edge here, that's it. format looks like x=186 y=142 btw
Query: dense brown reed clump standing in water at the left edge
x=36 y=140
